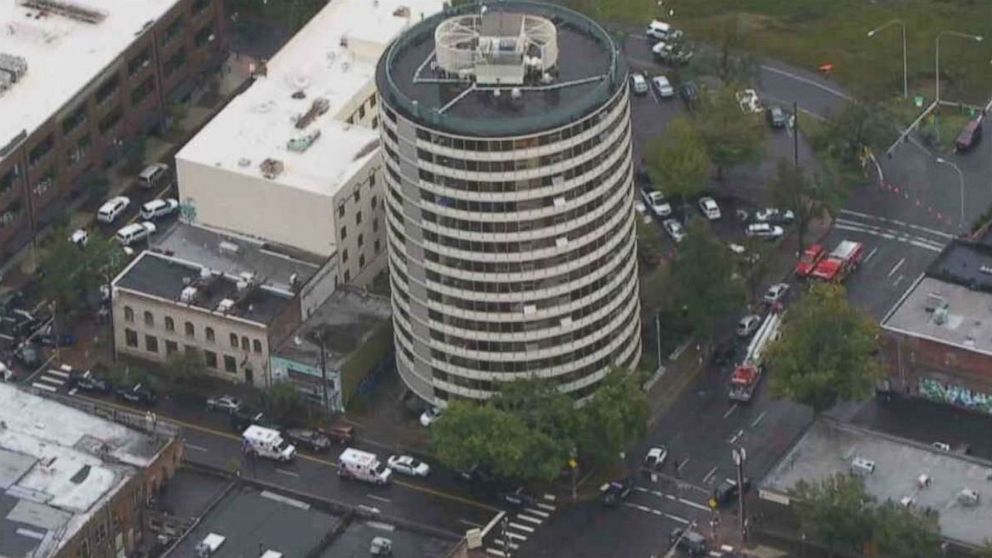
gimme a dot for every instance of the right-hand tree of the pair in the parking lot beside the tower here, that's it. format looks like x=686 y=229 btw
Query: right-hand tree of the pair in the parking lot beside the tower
x=731 y=136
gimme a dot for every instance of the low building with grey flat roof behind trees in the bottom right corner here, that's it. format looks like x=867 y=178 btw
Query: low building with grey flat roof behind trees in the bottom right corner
x=893 y=469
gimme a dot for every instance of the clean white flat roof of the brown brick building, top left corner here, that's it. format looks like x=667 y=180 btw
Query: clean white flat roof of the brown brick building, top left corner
x=63 y=55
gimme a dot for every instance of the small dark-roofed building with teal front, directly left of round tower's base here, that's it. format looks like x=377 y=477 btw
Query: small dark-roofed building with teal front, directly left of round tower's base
x=352 y=326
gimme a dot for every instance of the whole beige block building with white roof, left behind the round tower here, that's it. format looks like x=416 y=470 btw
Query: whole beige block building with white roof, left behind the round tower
x=295 y=158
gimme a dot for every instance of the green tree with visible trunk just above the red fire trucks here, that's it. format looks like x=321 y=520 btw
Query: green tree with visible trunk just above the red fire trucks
x=806 y=197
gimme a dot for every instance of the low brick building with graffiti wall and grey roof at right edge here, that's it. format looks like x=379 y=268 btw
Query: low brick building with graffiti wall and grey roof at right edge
x=938 y=336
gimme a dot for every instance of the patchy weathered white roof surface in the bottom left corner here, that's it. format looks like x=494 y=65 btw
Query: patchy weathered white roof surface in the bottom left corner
x=60 y=465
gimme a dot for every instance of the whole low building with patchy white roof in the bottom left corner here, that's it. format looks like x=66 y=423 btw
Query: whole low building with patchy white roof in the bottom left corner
x=73 y=484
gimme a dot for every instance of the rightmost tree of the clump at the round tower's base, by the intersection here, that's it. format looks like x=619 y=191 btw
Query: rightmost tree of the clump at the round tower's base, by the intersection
x=613 y=419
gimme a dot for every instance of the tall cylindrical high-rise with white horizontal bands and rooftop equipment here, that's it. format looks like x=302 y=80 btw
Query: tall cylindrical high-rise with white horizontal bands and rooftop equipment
x=506 y=139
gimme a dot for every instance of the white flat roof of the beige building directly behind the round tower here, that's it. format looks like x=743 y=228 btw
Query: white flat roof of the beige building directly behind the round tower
x=332 y=58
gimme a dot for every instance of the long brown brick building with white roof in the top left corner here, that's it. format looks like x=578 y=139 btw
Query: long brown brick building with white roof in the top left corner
x=79 y=81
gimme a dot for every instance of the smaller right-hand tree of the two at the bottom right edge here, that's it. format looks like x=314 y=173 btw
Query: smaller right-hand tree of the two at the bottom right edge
x=901 y=532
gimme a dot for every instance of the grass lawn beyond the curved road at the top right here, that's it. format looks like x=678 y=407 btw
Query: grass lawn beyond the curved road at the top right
x=808 y=33
